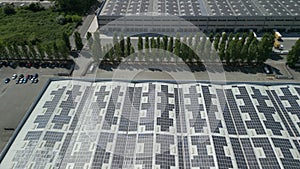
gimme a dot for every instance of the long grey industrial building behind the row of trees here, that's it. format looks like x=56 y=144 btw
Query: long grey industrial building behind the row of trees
x=207 y=15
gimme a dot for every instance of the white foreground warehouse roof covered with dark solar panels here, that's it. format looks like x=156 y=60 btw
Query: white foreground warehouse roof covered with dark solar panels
x=80 y=124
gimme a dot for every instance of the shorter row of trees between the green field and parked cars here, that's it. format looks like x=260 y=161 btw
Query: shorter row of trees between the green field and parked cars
x=59 y=49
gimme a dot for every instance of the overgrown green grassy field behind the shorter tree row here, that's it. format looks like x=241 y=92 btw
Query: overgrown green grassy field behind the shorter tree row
x=36 y=27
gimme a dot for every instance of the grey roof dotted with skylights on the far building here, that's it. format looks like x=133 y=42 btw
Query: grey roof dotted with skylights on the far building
x=203 y=7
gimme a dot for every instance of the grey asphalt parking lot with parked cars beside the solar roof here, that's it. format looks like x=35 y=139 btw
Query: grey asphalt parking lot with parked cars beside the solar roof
x=15 y=99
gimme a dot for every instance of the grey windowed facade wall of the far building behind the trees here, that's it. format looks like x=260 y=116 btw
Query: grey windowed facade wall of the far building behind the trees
x=209 y=23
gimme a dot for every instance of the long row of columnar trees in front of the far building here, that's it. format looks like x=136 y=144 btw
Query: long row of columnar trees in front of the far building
x=231 y=49
